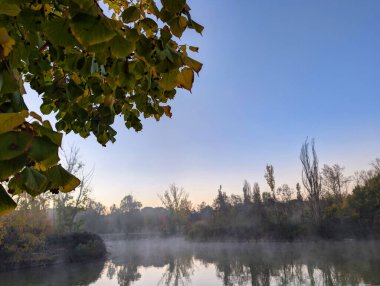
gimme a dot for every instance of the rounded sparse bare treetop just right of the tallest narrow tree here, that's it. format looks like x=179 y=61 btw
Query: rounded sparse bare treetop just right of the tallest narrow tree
x=334 y=181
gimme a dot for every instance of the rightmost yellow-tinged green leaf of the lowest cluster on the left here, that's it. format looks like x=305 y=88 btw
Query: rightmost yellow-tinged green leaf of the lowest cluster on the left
x=61 y=179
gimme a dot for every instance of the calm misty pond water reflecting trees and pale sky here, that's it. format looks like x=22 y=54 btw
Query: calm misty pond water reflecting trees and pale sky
x=176 y=262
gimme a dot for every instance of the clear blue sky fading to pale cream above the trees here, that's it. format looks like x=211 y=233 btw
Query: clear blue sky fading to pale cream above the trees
x=274 y=73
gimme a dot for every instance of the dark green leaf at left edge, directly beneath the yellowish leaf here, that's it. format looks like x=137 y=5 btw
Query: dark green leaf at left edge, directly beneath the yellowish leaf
x=13 y=144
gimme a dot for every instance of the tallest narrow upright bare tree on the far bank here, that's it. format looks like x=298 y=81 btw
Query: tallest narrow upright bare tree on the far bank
x=311 y=178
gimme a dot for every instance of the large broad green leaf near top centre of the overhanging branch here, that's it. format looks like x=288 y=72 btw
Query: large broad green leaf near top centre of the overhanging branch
x=89 y=30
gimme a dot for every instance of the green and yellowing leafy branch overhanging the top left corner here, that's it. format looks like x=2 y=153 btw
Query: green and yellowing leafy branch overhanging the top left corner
x=89 y=61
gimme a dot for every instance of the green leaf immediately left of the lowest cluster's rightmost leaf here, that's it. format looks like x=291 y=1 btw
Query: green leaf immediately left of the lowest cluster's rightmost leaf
x=33 y=181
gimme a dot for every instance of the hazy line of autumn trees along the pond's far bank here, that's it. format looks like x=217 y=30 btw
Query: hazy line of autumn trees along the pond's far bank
x=330 y=205
